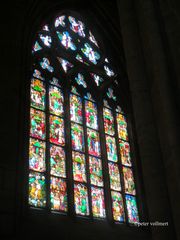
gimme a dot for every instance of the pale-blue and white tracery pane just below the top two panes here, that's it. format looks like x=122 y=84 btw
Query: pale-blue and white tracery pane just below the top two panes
x=66 y=40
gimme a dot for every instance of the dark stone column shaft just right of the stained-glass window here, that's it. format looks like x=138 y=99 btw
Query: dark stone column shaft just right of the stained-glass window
x=148 y=142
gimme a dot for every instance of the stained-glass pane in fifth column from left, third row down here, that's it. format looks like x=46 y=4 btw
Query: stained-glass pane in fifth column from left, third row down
x=114 y=176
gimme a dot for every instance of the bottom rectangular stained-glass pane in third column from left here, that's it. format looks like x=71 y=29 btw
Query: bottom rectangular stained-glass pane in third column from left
x=81 y=199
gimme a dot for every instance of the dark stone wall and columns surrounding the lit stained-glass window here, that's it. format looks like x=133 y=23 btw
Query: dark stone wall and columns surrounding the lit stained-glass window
x=150 y=55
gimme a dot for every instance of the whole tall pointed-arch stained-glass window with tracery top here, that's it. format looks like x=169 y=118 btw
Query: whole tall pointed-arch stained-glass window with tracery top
x=80 y=160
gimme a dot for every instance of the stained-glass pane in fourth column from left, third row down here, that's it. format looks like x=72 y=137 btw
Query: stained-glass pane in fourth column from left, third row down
x=95 y=169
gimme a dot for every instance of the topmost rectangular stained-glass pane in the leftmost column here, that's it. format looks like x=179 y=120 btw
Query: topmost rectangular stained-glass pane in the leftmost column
x=38 y=92
